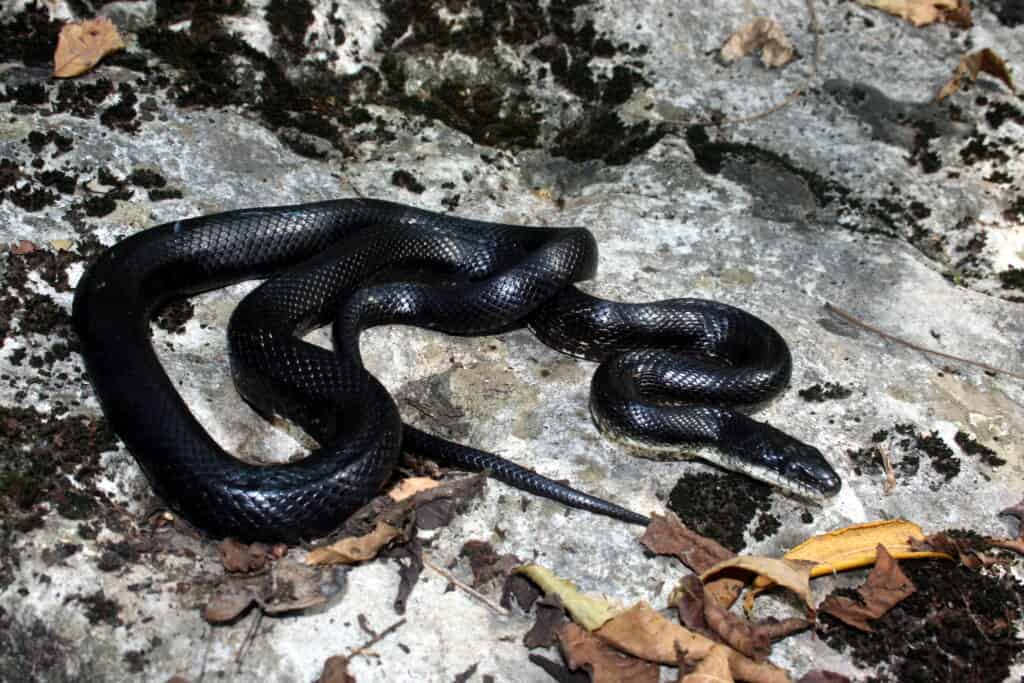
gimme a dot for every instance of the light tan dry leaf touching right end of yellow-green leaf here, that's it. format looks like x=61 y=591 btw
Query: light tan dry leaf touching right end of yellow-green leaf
x=647 y=634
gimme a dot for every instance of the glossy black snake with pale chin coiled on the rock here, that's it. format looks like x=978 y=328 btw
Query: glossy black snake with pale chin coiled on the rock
x=669 y=369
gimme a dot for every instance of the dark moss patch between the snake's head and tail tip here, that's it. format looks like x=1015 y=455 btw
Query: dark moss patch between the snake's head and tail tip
x=722 y=507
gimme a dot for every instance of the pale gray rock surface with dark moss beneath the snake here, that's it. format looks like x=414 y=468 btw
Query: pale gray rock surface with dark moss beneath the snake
x=862 y=193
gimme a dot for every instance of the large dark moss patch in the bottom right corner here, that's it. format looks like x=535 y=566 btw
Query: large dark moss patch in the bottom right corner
x=960 y=626
